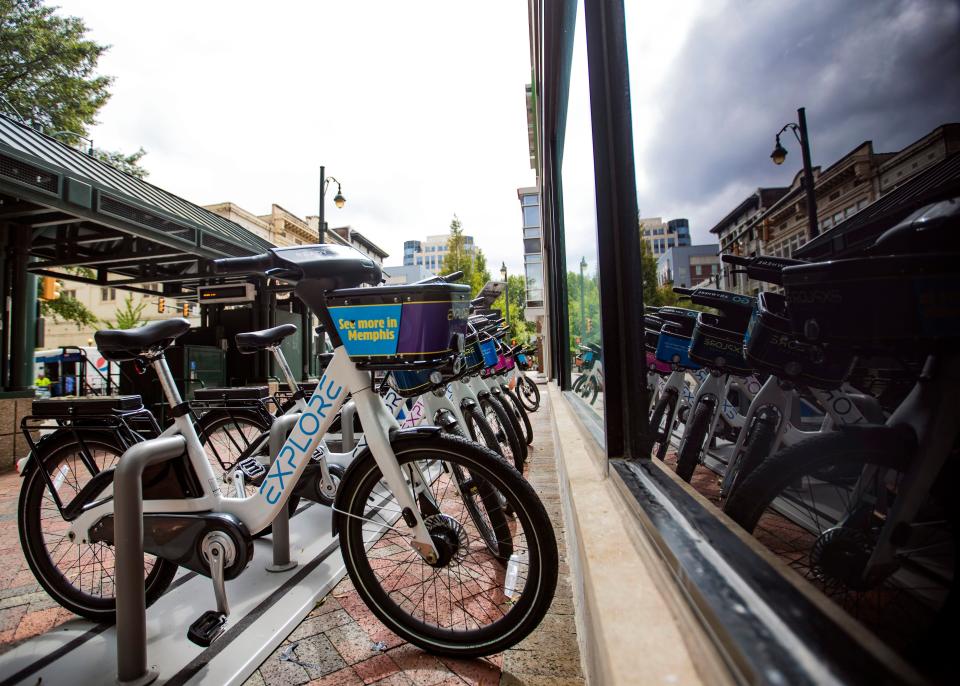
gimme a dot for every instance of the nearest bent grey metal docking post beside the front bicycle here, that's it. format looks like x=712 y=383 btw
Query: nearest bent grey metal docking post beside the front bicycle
x=128 y=551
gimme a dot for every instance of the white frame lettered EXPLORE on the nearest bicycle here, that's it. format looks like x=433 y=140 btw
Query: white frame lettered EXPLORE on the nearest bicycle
x=341 y=378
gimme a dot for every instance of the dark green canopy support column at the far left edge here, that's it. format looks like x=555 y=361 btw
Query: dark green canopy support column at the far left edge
x=23 y=315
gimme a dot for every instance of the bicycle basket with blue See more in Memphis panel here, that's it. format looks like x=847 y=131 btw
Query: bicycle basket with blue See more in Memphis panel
x=390 y=327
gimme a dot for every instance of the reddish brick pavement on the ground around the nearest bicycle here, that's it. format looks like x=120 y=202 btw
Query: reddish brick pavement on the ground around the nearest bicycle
x=341 y=641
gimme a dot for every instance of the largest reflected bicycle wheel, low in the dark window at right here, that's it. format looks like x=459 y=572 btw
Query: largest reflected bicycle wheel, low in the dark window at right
x=837 y=458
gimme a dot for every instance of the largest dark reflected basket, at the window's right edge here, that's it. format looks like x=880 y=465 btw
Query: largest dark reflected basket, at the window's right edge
x=896 y=299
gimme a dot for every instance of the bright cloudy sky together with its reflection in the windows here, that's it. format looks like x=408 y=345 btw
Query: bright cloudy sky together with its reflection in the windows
x=418 y=107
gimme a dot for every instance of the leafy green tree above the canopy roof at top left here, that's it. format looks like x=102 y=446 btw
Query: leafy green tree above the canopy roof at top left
x=48 y=75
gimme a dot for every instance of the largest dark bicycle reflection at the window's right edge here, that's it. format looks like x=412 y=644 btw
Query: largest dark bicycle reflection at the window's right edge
x=866 y=513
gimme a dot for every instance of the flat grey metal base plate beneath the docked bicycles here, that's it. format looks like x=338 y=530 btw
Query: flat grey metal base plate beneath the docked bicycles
x=281 y=586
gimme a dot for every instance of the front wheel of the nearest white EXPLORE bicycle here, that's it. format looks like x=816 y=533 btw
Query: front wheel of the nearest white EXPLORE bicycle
x=469 y=603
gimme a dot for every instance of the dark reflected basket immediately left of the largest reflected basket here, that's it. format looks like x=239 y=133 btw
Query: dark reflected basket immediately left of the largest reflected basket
x=772 y=347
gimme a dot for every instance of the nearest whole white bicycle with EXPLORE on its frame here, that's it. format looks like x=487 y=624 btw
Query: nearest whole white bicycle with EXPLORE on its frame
x=394 y=510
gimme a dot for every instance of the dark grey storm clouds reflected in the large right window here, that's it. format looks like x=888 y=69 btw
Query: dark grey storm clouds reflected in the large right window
x=885 y=70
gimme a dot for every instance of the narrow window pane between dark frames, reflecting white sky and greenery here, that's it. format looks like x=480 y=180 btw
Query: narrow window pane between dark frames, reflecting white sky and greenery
x=580 y=229
